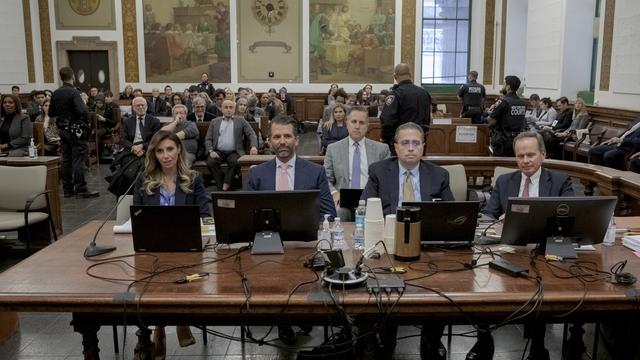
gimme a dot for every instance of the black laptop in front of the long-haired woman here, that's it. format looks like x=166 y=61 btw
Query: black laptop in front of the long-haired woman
x=158 y=228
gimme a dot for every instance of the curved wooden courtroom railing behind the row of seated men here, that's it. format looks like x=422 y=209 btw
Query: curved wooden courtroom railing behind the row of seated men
x=623 y=184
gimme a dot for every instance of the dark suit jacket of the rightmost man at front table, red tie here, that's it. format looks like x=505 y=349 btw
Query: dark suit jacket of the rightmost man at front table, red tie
x=508 y=185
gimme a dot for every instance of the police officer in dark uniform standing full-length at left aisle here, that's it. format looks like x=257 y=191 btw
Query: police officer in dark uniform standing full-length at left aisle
x=72 y=119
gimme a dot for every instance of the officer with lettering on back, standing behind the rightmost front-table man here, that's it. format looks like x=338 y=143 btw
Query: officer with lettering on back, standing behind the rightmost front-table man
x=507 y=118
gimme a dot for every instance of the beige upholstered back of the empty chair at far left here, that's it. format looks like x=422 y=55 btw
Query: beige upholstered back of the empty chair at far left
x=18 y=183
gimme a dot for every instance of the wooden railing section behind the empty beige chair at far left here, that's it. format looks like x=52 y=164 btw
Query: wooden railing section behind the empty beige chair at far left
x=53 y=181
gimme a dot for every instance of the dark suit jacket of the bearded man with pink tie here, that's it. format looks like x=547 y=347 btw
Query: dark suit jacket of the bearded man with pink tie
x=308 y=176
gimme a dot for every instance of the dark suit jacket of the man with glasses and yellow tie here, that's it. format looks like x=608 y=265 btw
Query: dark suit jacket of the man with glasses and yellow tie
x=383 y=183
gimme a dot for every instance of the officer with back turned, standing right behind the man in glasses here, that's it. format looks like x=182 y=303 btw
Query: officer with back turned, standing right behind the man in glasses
x=406 y=103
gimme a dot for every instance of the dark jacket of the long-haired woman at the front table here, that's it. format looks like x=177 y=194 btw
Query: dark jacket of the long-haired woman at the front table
x=197 y=197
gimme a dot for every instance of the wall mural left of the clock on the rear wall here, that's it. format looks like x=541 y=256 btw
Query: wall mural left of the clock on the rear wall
x=184 y=38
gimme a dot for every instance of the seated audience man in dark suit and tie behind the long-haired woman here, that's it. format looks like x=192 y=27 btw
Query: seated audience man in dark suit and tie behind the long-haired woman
x=139 y=128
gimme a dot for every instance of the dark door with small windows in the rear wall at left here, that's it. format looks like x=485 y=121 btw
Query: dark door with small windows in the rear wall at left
x=92 y=70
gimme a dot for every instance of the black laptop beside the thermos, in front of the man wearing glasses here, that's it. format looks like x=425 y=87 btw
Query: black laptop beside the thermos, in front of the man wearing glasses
x=447 y=223
